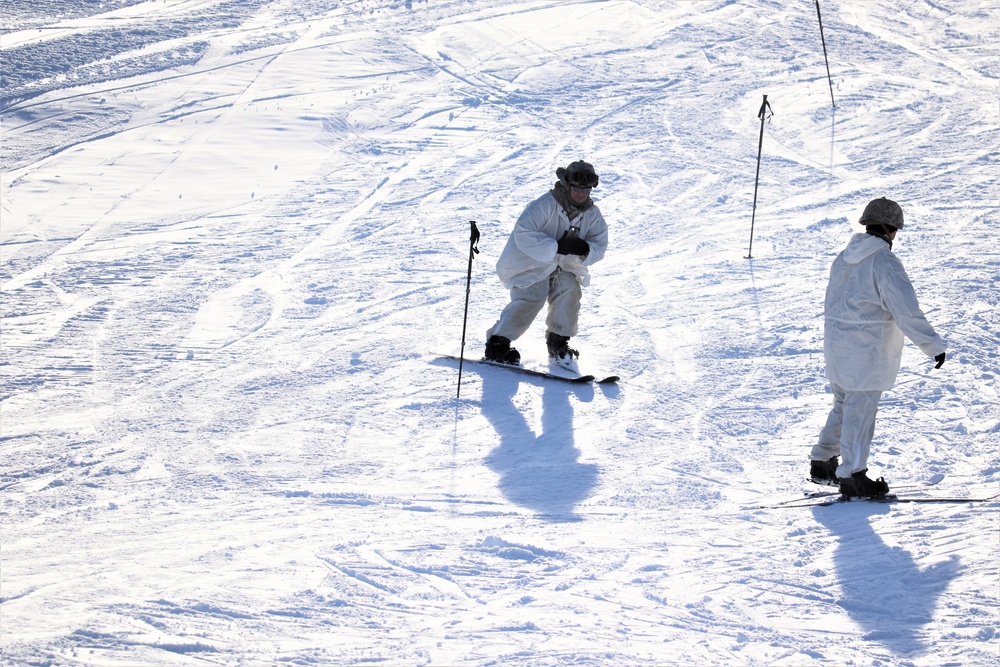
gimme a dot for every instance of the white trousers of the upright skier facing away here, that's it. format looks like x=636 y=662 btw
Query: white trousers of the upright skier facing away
x=849 y=430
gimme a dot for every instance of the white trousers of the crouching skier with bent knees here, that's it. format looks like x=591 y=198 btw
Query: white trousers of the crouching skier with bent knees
x=563 y=293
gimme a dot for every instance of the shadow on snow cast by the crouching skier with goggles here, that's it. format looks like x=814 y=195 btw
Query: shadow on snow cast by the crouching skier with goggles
x=539 y=471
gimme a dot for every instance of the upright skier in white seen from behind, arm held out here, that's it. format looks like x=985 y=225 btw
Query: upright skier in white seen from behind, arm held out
x=870 y=305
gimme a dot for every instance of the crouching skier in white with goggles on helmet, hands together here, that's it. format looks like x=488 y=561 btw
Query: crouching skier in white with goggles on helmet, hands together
x=555 y=239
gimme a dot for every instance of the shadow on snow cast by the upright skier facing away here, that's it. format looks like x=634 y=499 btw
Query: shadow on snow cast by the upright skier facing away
x=882 y=588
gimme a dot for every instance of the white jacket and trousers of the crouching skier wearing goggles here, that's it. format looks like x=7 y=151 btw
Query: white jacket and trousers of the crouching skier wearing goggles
x=531 y=269
